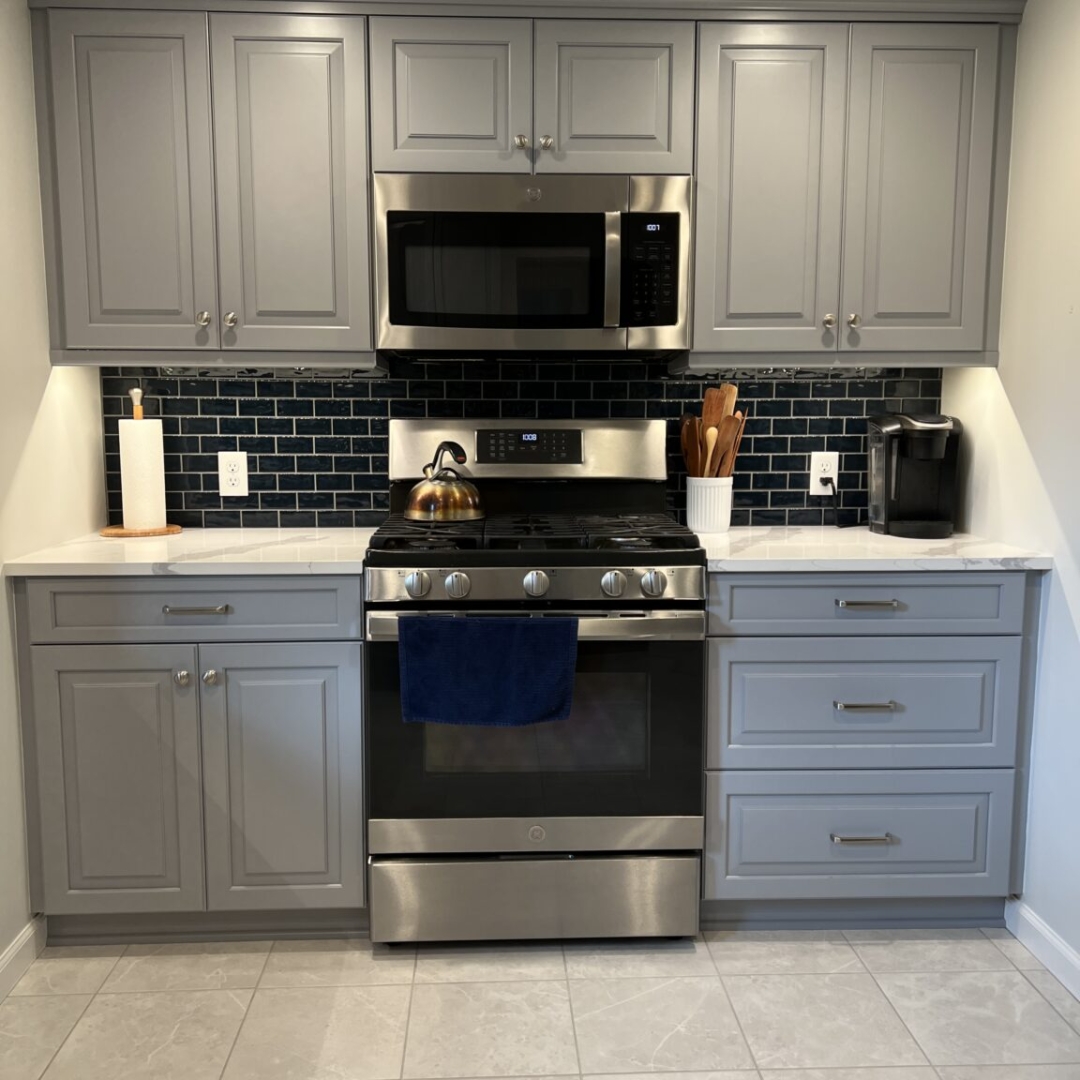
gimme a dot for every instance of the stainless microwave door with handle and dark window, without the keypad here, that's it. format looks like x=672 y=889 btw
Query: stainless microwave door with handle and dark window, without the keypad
x=490 y=263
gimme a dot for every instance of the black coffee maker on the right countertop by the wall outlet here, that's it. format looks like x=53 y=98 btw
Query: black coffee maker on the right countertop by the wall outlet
x=913 y=478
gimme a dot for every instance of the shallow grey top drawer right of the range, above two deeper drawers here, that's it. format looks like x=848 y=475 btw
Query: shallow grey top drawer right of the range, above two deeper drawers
x=861 y=604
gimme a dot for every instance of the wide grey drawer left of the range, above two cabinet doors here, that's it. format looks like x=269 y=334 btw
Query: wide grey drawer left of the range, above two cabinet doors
x=205 y=610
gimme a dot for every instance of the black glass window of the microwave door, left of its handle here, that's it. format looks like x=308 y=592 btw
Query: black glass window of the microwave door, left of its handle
x=496 y=271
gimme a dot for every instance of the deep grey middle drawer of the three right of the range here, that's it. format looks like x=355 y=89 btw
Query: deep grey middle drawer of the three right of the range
x=887 y=703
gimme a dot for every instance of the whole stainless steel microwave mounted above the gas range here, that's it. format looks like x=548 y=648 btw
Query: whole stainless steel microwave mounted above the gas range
x=475 y=264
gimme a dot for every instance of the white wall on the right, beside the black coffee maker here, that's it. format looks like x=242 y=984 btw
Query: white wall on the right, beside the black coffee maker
x=1023 y=428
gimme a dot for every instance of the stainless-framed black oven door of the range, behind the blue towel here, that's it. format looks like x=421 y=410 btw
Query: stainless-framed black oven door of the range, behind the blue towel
x=624 y=773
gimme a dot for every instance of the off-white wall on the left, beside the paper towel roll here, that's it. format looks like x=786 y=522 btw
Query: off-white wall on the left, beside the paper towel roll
x=51 y=467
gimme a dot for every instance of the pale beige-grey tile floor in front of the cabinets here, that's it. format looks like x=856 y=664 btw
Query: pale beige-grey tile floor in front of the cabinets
x=948 y=1005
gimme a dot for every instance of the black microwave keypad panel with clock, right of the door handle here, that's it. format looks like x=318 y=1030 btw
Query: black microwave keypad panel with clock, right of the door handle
x=650 y=269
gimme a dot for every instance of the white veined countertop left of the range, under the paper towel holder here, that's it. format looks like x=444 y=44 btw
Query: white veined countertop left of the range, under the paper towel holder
x=202 y=552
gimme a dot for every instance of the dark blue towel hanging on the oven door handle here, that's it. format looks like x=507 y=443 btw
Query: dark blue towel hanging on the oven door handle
x=490 y=672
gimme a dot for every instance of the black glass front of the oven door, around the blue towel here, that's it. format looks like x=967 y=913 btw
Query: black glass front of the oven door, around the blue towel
x=632 y=746
